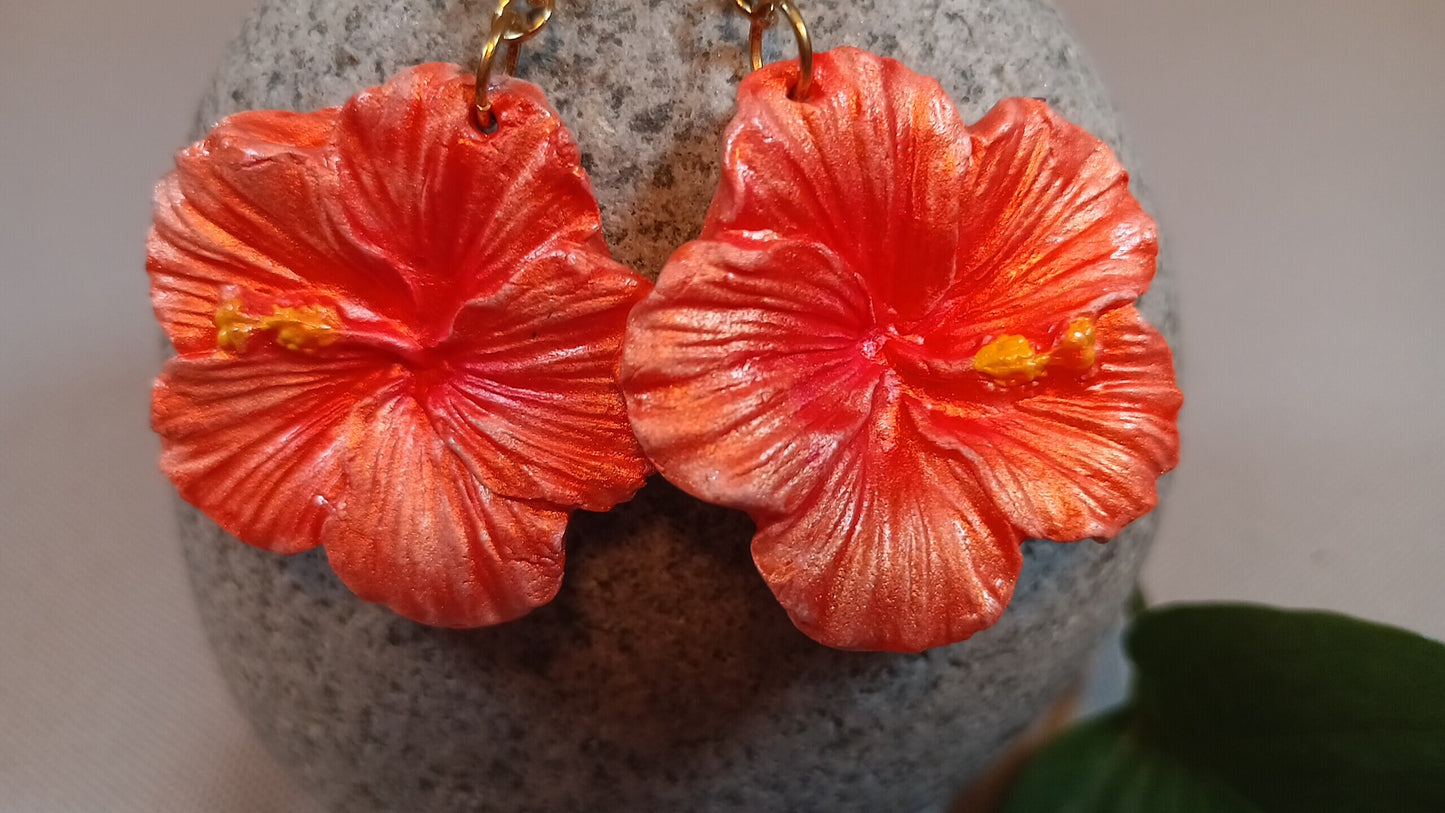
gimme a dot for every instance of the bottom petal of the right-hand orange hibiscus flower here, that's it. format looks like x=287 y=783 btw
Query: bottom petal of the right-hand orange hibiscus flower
x=895 y=551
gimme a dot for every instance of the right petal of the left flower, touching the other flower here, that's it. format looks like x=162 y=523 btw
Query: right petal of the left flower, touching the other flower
x=535 y=401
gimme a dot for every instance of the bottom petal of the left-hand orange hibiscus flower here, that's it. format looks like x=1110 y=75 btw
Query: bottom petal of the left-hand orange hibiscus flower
x=418 y=532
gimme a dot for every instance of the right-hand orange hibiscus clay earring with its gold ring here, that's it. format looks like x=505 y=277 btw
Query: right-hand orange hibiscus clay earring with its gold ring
x=904 y=346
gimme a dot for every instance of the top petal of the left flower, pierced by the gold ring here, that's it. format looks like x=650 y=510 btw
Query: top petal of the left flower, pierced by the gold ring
x=456 y=210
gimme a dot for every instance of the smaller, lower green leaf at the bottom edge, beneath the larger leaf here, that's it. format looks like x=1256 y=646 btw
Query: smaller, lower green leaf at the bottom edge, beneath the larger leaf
x=1103 y=768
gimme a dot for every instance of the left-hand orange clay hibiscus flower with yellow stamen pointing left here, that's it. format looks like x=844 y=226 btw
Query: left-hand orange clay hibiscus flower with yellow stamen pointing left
x=400 y=339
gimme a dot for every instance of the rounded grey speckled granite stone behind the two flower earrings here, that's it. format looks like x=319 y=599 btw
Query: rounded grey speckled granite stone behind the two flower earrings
x=664 y=677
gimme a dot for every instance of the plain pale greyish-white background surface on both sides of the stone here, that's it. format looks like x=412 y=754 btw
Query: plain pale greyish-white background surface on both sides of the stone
x=1297 y=155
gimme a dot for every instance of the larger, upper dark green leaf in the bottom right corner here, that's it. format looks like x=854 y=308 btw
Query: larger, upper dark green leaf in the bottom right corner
x=1298 y=711
